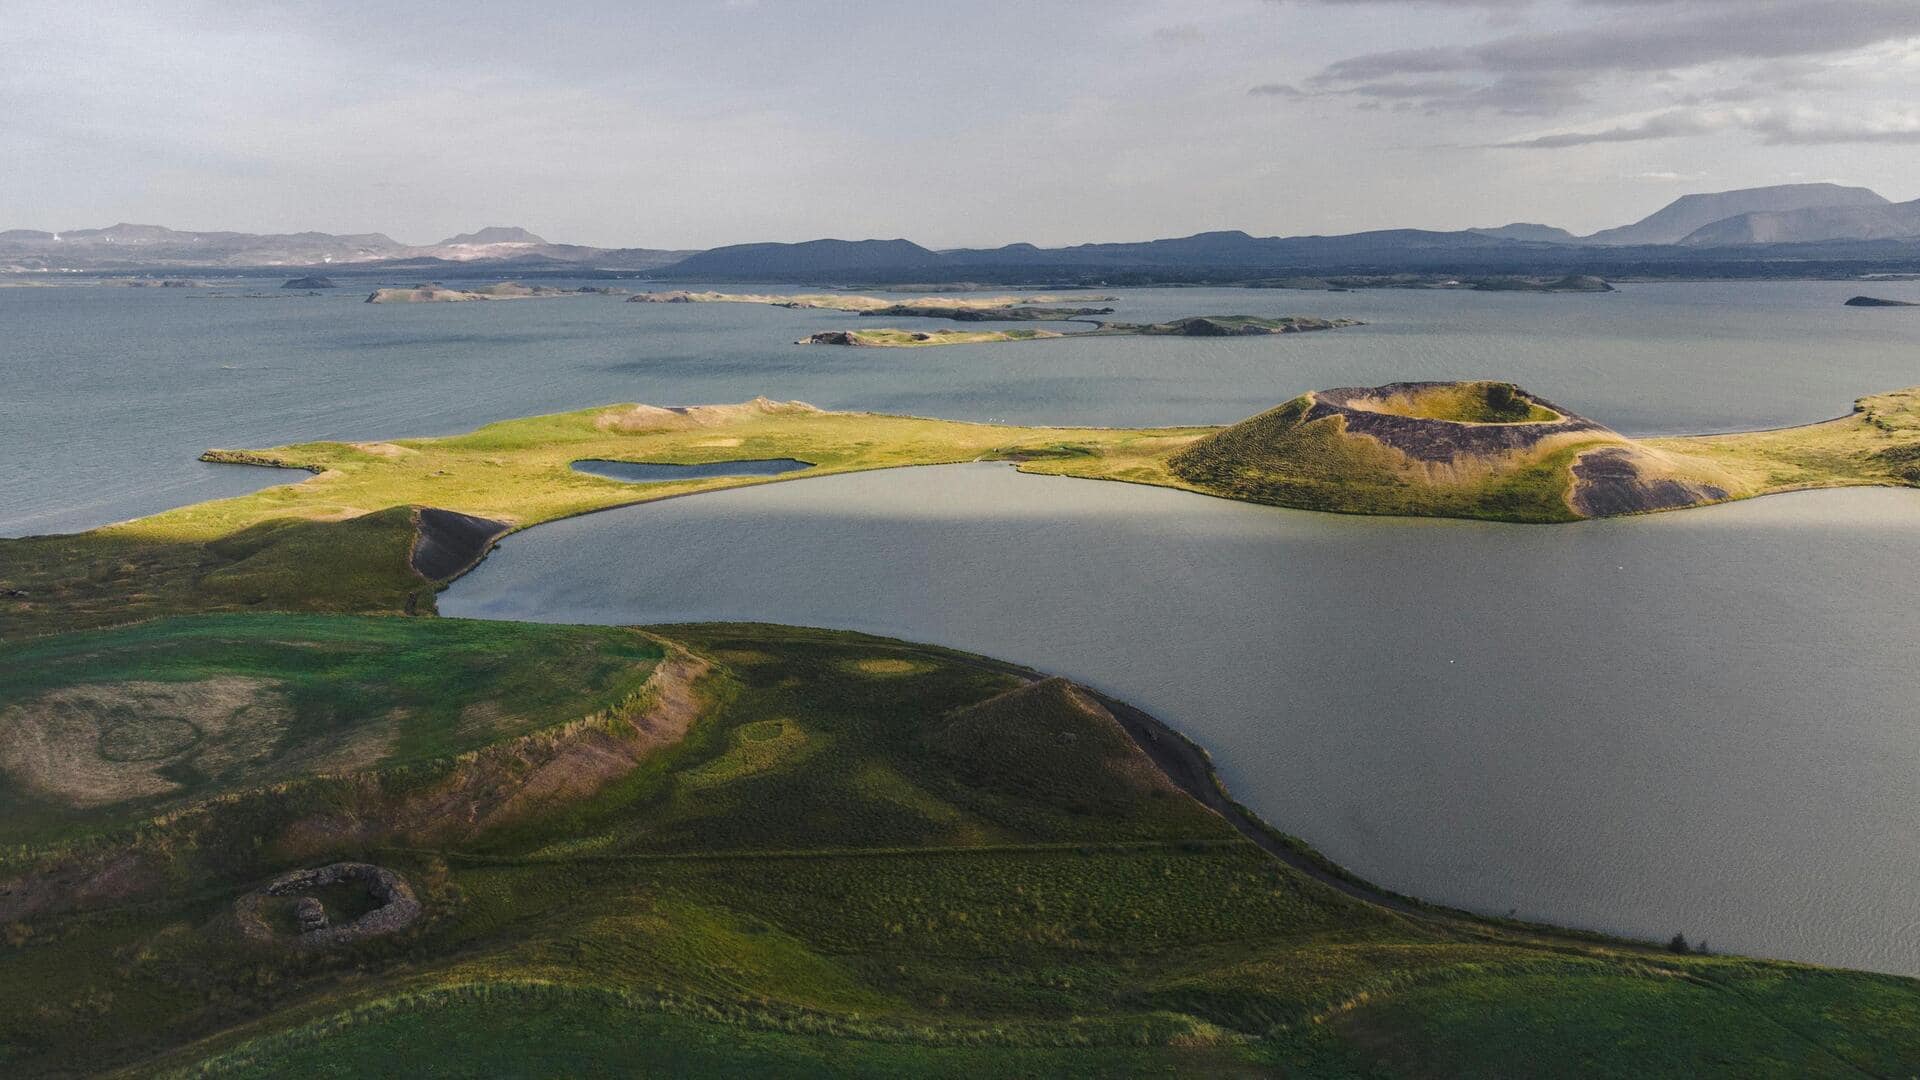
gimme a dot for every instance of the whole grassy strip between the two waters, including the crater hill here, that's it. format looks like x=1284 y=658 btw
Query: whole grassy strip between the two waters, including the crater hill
x=347 y=539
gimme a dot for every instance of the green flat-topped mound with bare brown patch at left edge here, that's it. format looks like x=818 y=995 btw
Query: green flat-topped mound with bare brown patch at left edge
x=107 y=727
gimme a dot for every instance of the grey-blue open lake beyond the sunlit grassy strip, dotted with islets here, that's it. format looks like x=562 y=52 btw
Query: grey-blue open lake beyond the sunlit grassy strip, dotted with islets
x=108 y=395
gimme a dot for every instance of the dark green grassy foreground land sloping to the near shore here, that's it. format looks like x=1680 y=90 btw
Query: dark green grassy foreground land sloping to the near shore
x=850 y=856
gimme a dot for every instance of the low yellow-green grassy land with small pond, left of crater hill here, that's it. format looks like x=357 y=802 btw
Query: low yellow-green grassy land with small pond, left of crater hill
x=343 y=541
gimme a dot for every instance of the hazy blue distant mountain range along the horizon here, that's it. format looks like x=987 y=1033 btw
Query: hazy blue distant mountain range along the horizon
x=1735 y=233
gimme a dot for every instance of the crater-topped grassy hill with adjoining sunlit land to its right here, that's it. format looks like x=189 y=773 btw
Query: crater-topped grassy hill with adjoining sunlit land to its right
x=1499 y=453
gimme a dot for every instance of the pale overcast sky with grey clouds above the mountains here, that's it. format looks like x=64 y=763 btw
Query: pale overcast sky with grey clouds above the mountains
x=951 y=124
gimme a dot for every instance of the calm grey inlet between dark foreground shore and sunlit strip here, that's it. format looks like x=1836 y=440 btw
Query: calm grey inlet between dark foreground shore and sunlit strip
x=1700 y=722
